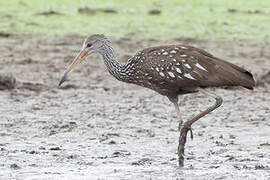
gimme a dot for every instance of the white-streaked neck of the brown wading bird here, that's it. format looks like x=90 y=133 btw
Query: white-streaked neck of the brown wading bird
x=114 y=67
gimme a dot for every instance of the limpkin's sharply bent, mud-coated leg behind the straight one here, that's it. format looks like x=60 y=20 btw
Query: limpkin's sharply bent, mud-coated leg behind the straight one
x=187 y=126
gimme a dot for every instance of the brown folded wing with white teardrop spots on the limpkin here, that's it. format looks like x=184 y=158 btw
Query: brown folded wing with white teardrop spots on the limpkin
x=186 y=66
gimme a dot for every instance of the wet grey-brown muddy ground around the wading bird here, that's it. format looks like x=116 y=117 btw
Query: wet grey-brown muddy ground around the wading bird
x=95 y=127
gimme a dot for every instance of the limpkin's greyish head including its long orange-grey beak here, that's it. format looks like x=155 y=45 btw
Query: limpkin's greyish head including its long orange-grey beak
x=92 y=44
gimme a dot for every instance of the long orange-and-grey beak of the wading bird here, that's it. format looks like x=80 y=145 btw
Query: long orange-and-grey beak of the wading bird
x=80 y=57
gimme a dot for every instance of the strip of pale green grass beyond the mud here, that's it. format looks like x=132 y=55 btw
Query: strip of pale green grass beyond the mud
x=203 y=19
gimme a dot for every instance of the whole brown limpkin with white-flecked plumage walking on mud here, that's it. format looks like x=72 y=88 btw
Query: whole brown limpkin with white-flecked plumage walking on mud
x=170 y=70
